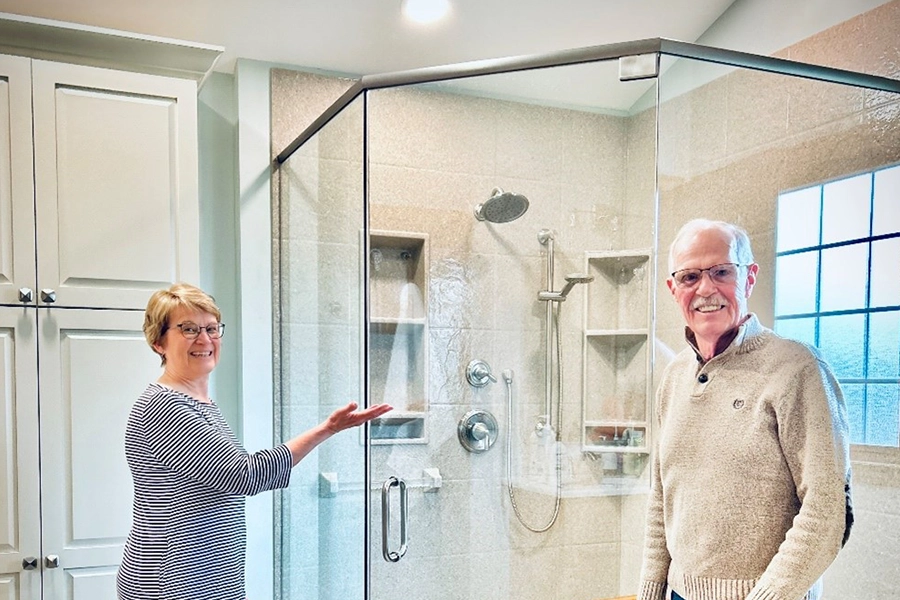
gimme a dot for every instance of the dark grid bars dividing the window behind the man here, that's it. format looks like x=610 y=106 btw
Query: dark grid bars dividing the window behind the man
x=864 y=436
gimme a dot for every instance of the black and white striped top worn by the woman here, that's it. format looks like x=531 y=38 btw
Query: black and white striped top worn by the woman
x=188 y=536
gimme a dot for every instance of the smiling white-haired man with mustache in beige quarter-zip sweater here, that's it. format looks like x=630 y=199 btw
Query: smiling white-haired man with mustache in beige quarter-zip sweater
x=750 y=492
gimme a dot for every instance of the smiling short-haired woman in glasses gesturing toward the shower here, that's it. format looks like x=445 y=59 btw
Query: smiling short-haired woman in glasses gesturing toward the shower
x=190 y=473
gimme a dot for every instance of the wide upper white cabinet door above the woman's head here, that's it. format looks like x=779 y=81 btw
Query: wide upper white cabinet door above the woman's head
x=116 y=184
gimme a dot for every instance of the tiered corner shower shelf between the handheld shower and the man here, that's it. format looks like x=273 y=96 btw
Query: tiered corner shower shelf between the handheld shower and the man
x=616 y=376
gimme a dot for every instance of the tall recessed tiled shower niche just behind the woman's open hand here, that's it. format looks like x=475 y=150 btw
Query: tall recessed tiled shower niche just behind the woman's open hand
x=398 y=332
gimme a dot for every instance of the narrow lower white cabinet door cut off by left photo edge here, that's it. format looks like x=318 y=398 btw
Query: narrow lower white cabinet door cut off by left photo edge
x=19 y=460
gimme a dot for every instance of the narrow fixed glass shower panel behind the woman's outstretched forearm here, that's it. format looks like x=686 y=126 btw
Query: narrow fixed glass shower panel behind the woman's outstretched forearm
x=321 y=517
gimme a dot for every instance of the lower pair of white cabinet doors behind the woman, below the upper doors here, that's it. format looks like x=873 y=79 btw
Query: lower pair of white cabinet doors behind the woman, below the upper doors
x=70 y=493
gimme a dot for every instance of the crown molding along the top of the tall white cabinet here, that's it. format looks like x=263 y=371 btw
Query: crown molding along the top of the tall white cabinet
x=99 y=47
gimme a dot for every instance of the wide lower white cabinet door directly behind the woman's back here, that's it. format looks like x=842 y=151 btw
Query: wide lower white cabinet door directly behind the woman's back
x=94 y=365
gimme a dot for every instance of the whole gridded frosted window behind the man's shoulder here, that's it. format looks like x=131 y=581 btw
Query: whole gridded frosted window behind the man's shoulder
x=837 y=287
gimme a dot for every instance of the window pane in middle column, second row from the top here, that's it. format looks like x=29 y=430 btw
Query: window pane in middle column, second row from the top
x=844 y=273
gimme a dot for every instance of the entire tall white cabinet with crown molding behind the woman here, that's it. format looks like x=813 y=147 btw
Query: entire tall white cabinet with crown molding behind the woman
x=98 y=208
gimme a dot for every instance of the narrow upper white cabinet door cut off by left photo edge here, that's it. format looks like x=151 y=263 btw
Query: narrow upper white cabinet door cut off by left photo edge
x=16 y=179
